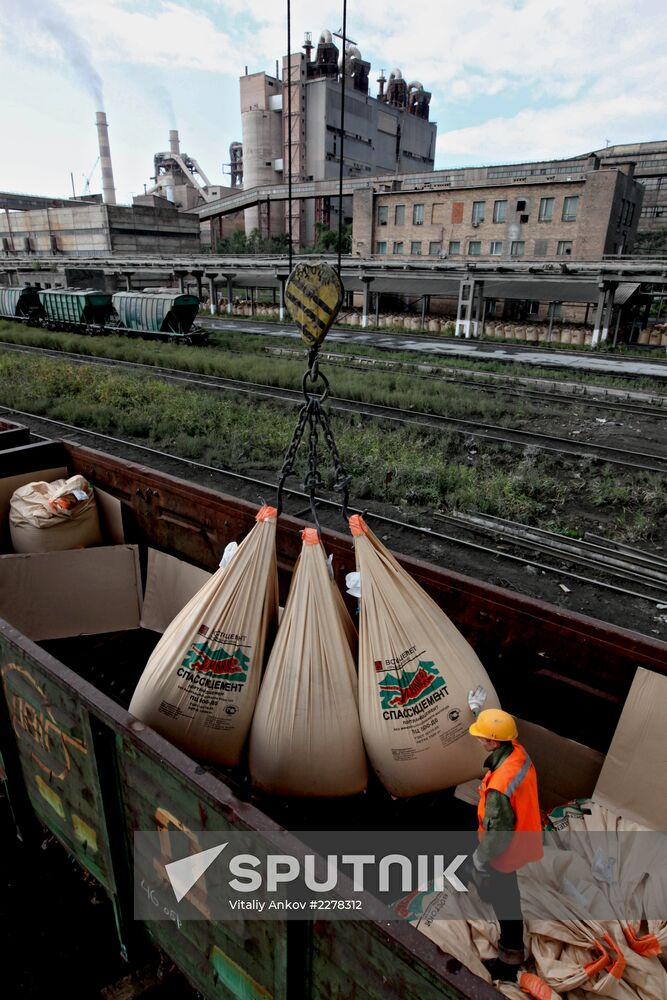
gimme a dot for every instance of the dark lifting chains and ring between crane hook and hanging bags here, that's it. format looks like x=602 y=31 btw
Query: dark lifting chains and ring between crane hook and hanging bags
x=313 y=418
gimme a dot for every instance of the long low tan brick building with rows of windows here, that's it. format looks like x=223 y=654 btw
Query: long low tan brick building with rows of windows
x=580 y=214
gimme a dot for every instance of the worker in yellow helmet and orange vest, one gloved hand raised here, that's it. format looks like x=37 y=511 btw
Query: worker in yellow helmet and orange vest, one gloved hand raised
x=509 y=831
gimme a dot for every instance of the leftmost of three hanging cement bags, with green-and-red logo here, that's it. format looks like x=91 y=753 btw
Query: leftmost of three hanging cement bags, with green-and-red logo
x=200 y=685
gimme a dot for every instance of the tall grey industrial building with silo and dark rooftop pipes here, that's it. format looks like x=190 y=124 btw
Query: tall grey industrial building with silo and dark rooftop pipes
x=390 y=133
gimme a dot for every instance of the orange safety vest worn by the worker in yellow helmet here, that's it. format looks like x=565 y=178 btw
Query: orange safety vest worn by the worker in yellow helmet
x=517 y=779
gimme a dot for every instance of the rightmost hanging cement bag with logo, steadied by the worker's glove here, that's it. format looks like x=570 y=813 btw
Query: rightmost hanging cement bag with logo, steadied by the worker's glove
x=415 y=671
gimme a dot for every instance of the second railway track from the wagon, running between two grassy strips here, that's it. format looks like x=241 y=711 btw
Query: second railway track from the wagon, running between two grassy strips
x=641 y=461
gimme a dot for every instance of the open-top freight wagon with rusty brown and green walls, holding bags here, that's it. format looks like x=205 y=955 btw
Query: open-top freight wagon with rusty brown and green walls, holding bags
x=83 y=624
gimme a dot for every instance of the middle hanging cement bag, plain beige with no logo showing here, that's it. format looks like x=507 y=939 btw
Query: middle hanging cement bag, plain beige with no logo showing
x=306 y=738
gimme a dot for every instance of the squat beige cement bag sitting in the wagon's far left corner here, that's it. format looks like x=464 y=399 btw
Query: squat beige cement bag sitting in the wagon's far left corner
x=50 y=517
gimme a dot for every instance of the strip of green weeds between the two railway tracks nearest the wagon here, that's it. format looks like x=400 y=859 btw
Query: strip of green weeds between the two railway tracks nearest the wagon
x=404 y=467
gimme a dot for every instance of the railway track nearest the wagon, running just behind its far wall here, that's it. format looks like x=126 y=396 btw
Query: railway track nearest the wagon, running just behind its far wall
x=570 y=565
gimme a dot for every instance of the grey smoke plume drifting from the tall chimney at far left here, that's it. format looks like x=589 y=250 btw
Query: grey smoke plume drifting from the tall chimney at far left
x=47 y=18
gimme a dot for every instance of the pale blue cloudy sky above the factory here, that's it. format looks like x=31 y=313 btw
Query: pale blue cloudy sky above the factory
x=511 y=80
